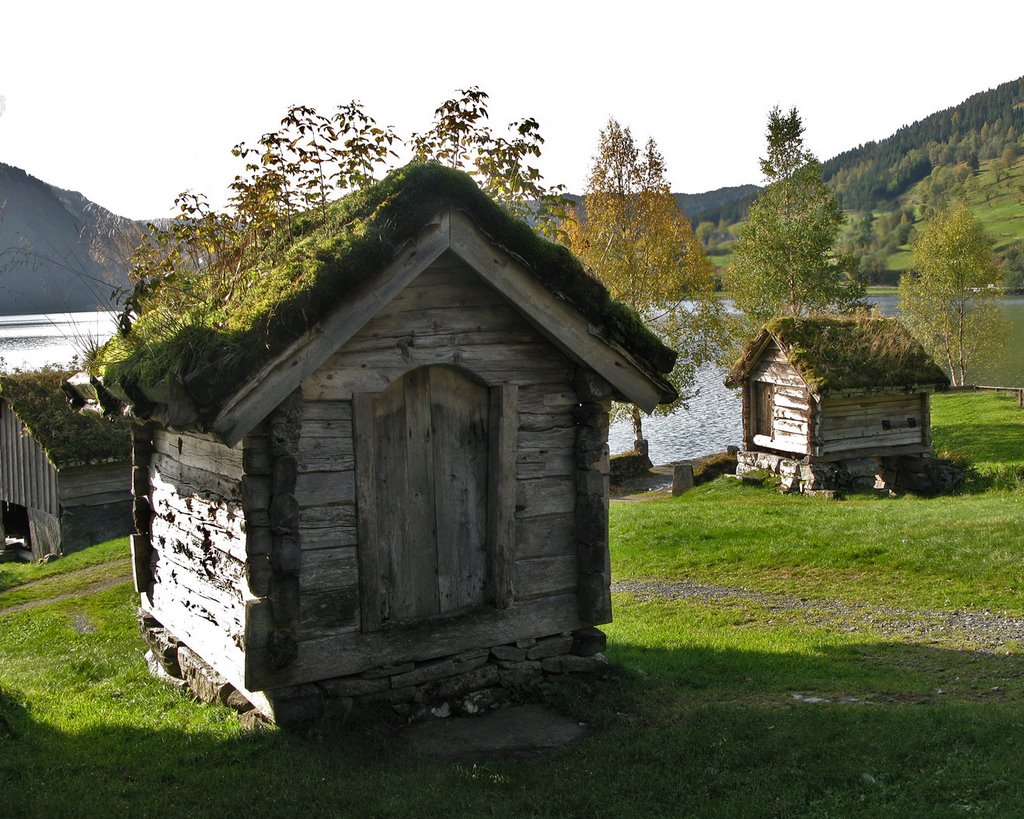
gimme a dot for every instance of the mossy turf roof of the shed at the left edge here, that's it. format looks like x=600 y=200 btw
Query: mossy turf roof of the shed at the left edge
x=68 y=437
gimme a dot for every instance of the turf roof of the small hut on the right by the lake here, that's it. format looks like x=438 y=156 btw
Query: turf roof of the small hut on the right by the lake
x=838 y=355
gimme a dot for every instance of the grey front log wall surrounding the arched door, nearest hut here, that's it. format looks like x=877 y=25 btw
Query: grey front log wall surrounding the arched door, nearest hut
x=447 y=317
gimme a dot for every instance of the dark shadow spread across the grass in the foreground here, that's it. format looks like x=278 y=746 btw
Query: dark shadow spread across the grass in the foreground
x=686 y=731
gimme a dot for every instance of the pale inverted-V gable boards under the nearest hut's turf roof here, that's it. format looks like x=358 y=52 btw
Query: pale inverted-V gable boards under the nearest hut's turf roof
x=558 y=321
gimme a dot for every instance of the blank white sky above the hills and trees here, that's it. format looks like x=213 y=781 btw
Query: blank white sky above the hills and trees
x=131 y=103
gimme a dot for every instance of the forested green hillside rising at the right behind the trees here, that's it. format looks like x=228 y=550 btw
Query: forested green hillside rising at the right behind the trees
x=973 y=151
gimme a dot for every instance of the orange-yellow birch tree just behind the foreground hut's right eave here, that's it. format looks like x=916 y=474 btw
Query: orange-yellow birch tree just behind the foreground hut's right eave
x=632 y=236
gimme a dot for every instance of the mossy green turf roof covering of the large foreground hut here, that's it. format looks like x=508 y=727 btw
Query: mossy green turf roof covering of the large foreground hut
x=323 y=258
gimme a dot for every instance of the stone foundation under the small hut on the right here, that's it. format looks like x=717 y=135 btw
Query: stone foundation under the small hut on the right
x=918 y=473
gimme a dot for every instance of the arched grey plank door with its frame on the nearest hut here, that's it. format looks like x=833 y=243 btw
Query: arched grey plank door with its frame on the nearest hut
x=423 y=456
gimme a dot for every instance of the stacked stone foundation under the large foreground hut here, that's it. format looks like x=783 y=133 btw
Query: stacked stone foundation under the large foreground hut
x=467 y=683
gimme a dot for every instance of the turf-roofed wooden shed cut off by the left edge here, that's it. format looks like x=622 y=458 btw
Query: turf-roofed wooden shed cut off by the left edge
x=65 y=478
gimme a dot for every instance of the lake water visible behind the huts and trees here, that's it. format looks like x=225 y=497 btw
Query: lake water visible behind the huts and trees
x=710 y=423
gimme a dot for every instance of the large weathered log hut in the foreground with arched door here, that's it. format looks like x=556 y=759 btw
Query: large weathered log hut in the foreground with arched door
x=405 y=501
